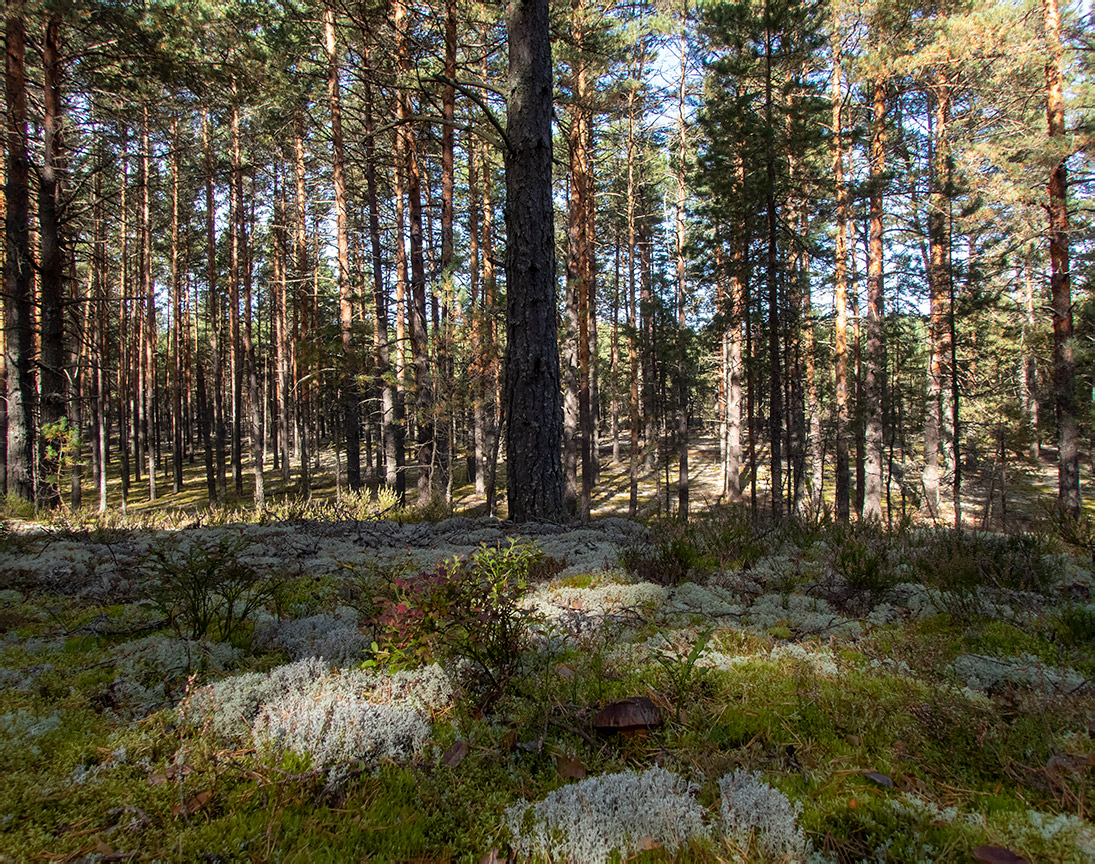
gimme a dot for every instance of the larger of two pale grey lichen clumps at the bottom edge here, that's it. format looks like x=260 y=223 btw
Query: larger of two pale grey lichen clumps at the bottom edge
x=621 y=814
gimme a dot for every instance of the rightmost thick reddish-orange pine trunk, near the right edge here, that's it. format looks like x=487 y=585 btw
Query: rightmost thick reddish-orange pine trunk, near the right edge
x=1061 y=282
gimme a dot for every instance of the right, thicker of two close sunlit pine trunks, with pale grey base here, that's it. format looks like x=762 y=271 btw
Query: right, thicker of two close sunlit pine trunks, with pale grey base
x=874 y=379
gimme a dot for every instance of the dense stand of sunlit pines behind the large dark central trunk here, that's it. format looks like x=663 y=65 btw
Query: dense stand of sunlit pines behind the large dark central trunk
x=847 y=246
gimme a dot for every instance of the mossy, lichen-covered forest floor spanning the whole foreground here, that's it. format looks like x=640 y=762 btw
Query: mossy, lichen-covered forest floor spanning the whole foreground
x=321 y=685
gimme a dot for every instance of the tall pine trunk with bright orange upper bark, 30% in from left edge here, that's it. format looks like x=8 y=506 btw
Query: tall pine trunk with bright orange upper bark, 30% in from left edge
x=348 y=388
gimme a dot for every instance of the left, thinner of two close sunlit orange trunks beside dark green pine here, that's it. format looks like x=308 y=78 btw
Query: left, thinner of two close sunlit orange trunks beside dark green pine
x=840 y=291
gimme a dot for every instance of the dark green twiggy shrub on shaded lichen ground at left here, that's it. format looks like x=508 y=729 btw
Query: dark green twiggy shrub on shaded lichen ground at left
x=203 y=589
